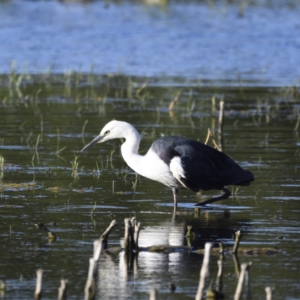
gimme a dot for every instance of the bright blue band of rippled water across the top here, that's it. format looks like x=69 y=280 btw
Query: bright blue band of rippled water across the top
x=257 y=41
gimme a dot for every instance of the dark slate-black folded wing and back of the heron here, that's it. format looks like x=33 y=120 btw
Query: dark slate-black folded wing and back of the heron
x=205 y=167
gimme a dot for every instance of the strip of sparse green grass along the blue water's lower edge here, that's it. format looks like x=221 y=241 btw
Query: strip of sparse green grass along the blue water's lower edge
x=144 y=93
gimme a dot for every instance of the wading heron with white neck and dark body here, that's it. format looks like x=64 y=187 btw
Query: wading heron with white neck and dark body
x=177 y=162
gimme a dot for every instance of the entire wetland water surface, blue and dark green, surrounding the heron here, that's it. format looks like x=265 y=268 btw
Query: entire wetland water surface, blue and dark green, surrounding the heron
x=191 y=52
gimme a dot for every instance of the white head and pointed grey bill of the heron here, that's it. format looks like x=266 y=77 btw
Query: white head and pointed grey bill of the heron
x=112 y=130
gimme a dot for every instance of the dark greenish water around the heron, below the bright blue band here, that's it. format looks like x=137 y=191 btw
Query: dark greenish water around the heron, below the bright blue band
x=42 y=132
